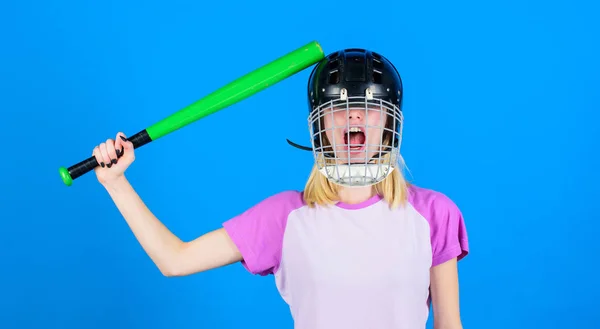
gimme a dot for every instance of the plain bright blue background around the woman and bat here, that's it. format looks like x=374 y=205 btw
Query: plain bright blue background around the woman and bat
x=501 y=115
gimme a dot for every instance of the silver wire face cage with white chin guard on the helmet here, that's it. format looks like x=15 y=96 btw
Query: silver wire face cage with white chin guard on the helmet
x=362 y=152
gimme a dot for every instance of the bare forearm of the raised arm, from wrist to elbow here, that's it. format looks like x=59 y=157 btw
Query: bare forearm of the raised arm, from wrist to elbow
x=161 y=245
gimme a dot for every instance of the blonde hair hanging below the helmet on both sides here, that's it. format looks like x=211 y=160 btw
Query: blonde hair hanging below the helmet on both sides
x=321 y=191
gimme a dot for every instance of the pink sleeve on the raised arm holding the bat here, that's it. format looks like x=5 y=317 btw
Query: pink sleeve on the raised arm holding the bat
x=258 y=232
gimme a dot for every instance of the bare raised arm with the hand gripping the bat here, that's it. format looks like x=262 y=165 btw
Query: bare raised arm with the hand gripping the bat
x=172 y=256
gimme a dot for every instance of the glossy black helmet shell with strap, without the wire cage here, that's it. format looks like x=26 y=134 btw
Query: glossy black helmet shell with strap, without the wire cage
x=354 y=71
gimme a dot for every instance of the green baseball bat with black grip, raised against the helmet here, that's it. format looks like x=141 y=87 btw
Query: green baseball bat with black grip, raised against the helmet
x=237 y=90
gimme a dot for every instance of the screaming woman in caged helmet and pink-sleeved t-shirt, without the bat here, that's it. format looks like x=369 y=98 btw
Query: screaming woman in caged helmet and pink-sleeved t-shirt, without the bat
x=359 y=247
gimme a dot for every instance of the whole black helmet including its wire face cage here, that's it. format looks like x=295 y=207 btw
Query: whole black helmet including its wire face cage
x=342 y=83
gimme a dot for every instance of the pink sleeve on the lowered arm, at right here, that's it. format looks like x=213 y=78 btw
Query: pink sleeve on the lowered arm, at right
x=448 y=232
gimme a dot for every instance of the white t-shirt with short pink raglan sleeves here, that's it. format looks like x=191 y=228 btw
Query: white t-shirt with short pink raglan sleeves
x=351 y=266
